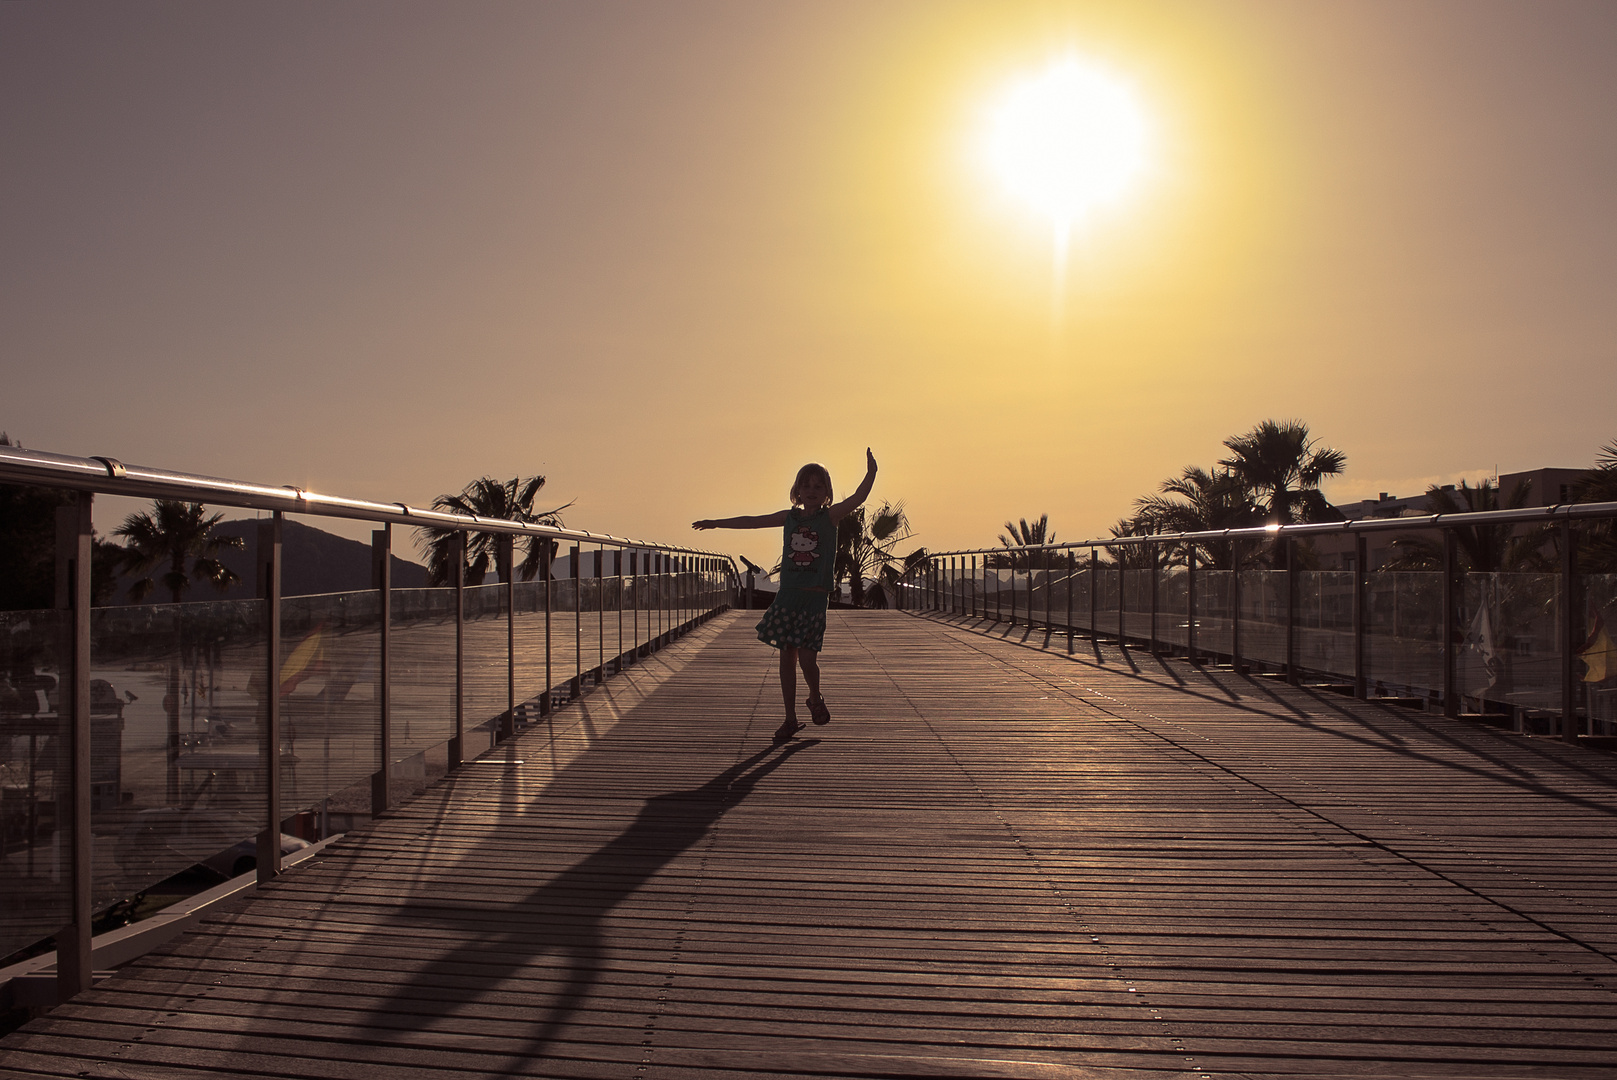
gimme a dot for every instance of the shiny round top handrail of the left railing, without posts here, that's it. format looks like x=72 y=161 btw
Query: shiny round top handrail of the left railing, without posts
x=109 y=476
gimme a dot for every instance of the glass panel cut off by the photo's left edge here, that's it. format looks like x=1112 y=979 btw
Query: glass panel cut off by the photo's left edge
x=35 y=898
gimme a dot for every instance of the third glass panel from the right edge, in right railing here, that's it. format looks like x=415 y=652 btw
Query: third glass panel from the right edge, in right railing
x=1404 y=633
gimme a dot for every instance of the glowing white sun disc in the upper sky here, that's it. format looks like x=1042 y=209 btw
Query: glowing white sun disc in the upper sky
x=1068 y=141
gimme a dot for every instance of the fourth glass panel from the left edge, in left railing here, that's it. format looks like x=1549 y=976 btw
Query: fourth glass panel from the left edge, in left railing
x=421 y=659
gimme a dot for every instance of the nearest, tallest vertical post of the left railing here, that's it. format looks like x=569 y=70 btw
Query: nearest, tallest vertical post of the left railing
x=74 y=701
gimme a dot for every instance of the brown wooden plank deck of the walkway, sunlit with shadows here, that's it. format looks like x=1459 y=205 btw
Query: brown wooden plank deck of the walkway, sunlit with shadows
x=995 y=863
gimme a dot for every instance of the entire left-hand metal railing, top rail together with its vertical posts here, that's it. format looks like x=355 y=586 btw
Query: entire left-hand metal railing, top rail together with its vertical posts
x=678 y=612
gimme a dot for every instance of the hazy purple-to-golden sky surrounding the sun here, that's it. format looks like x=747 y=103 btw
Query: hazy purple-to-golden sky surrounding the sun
x=665 y=253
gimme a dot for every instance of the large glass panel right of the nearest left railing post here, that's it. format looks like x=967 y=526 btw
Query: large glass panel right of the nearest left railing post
x=177 y=738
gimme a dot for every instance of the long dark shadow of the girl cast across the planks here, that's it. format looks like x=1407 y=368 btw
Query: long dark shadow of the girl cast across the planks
x=562 y=918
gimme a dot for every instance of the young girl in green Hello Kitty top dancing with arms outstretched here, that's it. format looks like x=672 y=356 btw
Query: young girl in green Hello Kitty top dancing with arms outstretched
x=796 y=622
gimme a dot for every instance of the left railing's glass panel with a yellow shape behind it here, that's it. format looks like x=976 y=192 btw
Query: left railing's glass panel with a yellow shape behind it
x=331 y=694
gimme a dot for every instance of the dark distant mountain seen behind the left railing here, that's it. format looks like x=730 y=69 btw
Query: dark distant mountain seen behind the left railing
x=313 y=562
